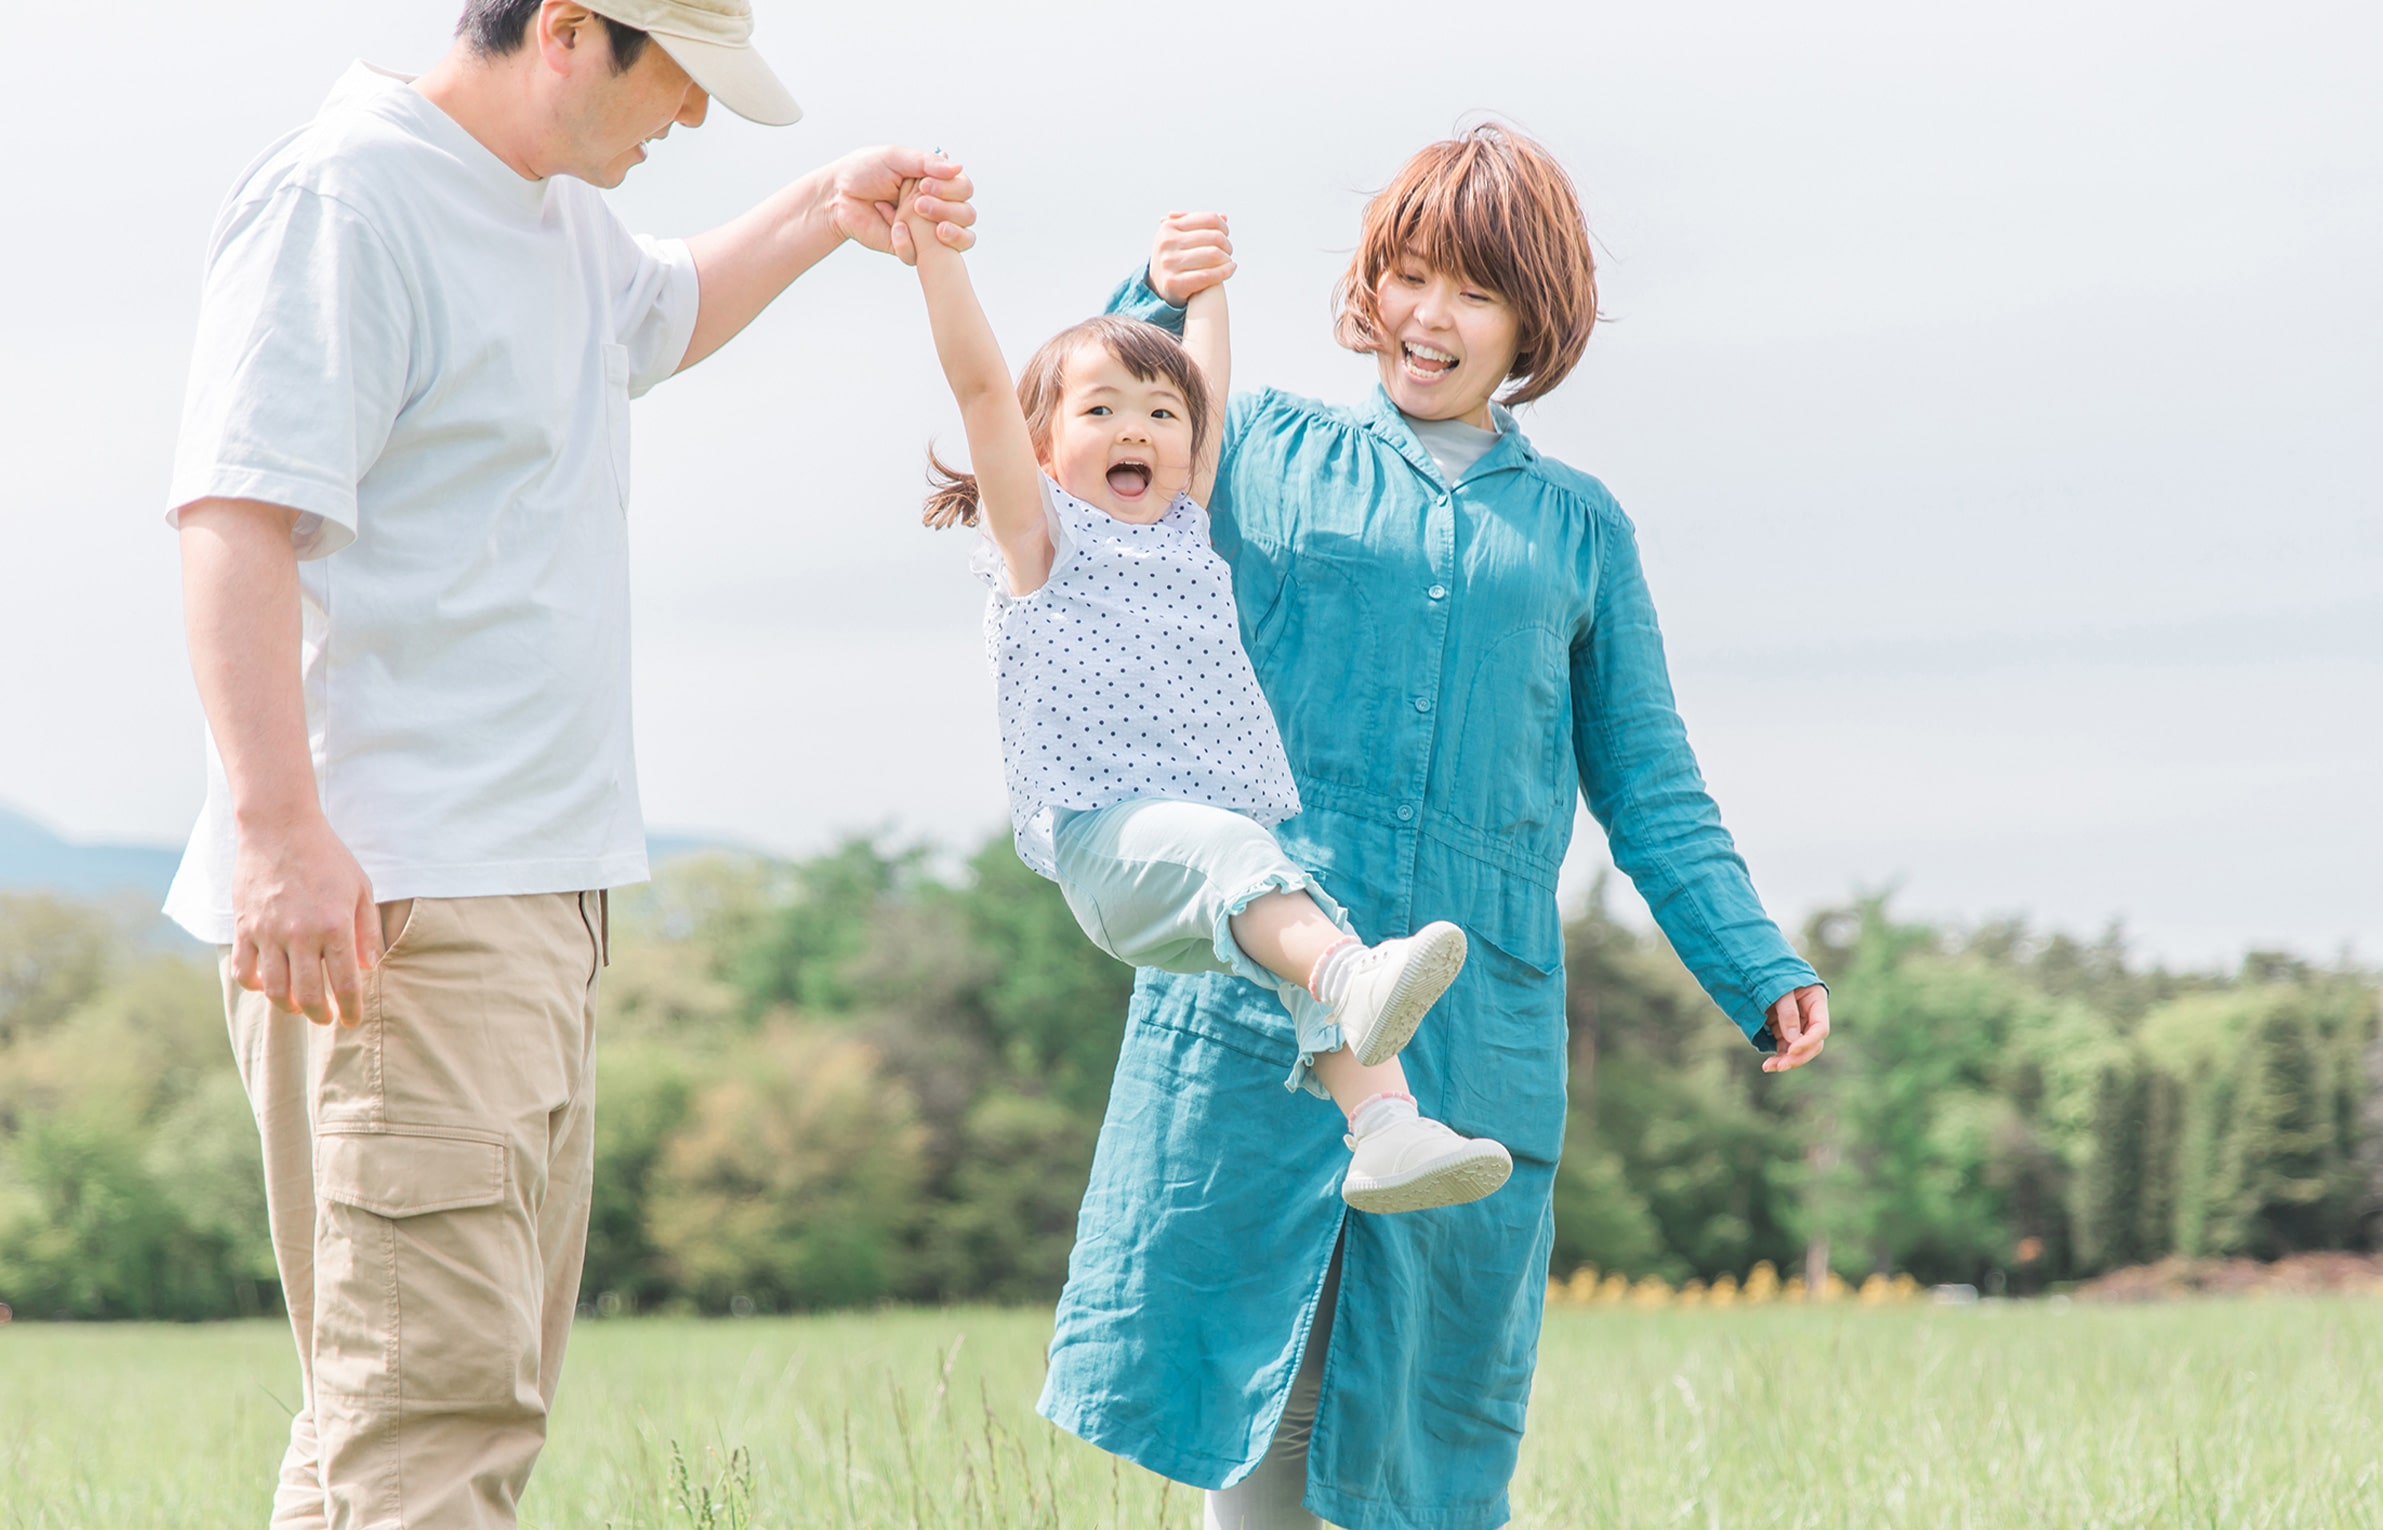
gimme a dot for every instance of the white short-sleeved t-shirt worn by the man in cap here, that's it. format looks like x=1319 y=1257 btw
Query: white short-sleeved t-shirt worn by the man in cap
x=433 y=361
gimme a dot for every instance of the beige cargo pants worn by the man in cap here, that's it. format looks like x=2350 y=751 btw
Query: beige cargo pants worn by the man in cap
x=428 y=1176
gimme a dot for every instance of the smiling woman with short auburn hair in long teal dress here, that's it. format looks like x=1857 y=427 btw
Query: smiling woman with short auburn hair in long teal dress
x=1457 y=642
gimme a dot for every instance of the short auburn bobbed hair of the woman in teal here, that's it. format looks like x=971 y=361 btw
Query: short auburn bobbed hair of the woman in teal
x=1495 y=209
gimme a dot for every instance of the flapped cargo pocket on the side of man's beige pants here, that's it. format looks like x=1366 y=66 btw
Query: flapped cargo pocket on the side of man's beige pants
x=421 y=1267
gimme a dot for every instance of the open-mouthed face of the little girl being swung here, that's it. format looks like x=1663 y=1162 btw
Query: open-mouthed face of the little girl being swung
x=1121 y=442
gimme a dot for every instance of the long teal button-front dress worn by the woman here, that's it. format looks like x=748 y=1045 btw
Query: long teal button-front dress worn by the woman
x=1450 y=664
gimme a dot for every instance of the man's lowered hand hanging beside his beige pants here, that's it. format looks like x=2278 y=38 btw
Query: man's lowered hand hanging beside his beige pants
x=306 y=928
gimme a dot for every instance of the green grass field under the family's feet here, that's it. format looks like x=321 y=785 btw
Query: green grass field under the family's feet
x=2205 y=1414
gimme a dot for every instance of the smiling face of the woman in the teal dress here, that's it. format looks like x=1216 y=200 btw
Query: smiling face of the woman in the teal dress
x=1448 y=344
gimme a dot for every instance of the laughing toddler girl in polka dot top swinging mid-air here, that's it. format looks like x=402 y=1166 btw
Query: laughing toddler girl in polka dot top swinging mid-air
x=1140 y=754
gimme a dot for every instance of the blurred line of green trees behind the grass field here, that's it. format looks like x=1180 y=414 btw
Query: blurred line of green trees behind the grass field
x=878 y=1078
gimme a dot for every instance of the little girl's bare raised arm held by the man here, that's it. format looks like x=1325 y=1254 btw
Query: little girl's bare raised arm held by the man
x=1009 y=478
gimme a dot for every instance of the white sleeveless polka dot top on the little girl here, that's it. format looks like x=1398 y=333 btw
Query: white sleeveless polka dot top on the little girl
x=1126 y=678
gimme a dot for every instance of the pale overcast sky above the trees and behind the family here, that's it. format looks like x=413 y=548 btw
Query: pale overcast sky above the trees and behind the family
x=1996 y=392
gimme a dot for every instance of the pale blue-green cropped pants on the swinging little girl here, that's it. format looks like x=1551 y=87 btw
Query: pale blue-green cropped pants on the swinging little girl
x=1159 y=883
